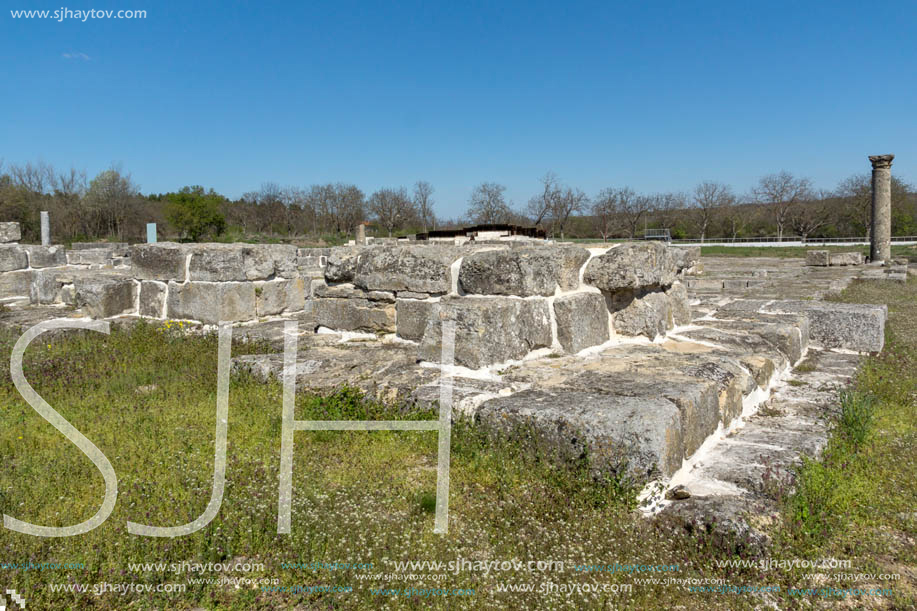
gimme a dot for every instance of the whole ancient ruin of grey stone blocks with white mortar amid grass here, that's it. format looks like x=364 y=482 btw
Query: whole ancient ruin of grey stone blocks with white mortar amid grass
x=620 y=354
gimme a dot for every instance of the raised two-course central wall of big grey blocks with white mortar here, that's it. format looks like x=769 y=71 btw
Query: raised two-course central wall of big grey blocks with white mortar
x=508 y=300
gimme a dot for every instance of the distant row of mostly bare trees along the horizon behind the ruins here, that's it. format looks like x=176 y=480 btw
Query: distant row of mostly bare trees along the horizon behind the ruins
x=111 y=207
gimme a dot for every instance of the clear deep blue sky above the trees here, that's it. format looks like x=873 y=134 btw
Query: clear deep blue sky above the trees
x=653 y=95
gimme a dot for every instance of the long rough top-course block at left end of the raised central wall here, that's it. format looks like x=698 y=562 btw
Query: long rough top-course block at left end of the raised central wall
x=423 y=269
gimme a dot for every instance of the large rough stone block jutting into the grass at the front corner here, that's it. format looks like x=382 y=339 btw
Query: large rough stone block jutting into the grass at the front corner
x=639 y=438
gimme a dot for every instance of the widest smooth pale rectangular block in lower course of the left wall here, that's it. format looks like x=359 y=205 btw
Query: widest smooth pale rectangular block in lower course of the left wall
x=210 y=302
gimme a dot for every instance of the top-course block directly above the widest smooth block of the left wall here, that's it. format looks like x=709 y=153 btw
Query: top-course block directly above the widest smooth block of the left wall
x=231 y=262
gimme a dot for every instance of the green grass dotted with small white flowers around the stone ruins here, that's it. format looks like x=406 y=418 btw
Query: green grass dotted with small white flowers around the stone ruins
x=146 y=397
